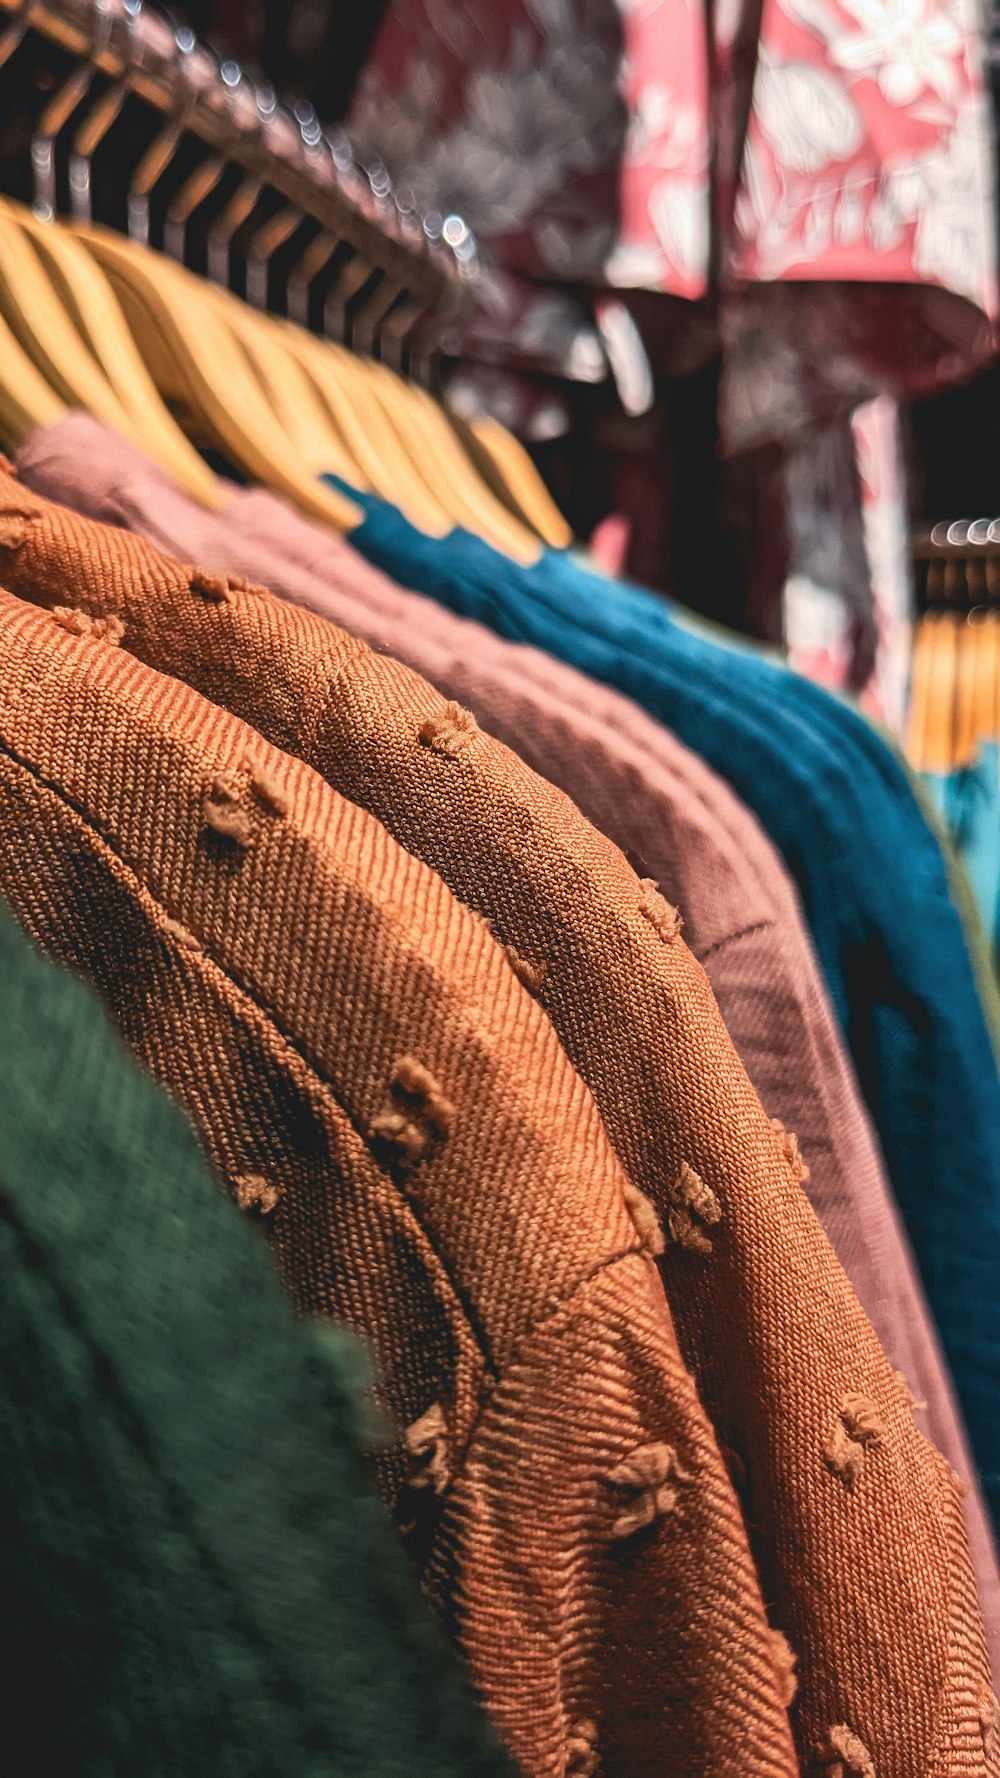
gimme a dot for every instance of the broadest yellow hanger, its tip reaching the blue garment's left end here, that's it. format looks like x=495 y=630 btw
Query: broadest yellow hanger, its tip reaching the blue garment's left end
x=198 y=367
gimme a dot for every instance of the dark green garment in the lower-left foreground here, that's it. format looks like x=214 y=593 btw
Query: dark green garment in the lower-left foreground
x=197 y=1576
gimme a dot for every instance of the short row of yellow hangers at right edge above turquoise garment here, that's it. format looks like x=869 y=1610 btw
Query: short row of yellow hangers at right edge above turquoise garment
x=956 y=653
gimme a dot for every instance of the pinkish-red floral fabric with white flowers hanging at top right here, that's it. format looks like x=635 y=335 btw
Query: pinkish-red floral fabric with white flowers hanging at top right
x=798 y=152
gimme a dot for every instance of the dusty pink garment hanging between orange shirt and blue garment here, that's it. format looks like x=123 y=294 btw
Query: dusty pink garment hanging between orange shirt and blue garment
x=657 y=801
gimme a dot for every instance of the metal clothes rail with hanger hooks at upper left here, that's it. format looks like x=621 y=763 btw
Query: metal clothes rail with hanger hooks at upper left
x=222 y=175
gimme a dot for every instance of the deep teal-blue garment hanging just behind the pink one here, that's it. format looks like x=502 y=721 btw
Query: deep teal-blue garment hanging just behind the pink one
x=871 y=876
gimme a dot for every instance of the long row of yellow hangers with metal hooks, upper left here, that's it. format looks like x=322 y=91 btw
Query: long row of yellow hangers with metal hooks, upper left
x=179 y=364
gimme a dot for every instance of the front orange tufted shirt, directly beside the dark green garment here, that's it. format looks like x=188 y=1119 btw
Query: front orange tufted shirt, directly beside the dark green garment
x=376 y=1085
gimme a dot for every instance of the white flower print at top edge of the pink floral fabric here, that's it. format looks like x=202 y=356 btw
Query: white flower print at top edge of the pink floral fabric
x=905 y=45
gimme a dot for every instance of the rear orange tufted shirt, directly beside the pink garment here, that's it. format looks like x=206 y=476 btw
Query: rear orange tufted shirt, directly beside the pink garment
x=857 y=1521
